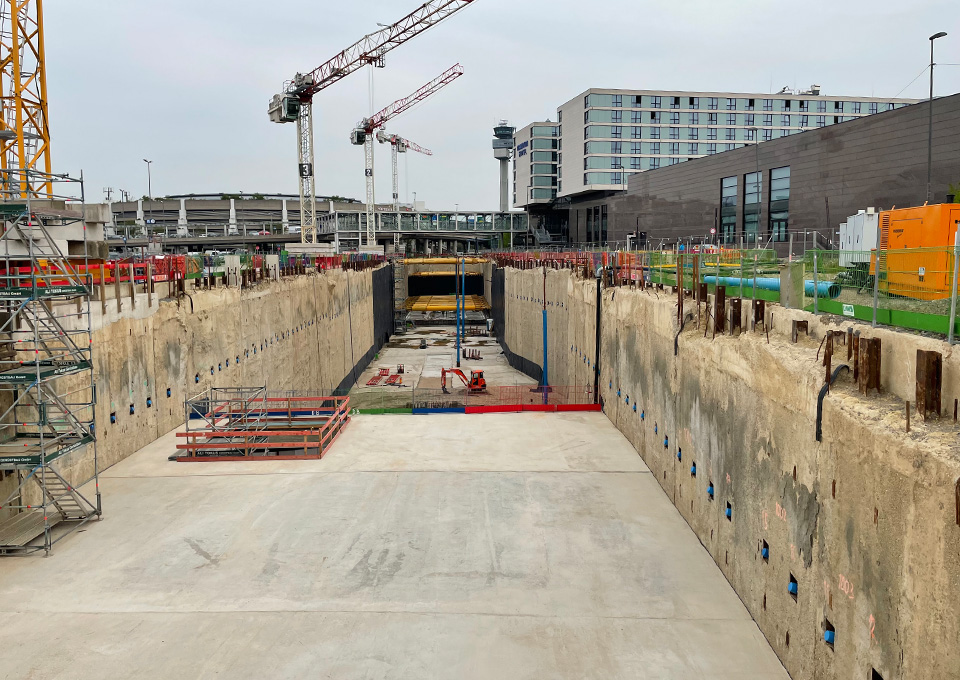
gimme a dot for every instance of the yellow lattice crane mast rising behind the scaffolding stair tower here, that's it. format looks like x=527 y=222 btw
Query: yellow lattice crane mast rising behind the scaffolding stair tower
x=24 y=124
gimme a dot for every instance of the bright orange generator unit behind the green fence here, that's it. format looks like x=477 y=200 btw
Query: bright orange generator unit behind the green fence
x=916 y=243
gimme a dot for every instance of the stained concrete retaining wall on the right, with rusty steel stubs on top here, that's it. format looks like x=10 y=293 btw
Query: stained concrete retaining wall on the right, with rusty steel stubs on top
x=866 y=521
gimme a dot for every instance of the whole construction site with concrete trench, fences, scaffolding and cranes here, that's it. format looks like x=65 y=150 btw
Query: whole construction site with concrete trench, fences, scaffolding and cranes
x=469 y=461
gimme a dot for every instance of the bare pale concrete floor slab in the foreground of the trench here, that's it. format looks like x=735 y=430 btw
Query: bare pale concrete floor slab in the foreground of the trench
x=517 y=546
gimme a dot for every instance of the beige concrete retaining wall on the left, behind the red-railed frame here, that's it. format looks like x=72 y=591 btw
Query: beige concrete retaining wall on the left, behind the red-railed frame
x=304 y=333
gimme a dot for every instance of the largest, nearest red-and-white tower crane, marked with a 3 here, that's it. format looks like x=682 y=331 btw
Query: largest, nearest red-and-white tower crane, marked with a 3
x=295 y=103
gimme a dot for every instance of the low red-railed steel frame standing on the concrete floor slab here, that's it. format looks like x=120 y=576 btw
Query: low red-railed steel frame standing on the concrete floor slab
x=313 y=439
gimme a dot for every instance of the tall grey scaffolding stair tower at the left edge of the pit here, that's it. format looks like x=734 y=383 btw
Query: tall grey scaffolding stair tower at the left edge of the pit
x=47 y=392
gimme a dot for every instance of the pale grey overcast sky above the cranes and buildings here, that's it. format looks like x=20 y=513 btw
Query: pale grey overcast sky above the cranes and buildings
x=187 y=83
